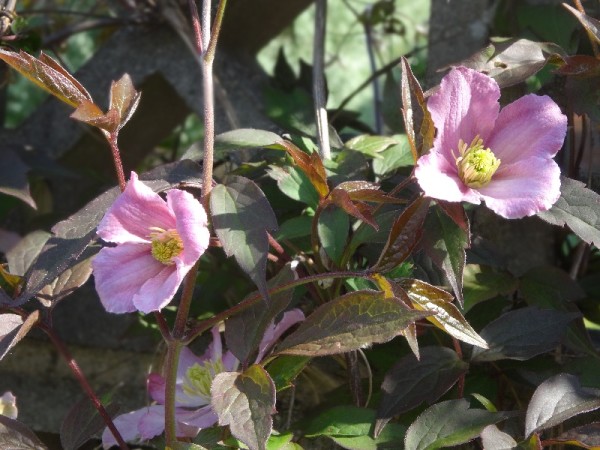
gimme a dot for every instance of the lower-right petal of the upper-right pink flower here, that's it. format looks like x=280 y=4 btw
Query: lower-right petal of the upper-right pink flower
x=523 y=188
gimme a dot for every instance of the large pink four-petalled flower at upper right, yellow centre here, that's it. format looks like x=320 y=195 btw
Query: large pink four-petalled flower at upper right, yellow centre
x=481 y=153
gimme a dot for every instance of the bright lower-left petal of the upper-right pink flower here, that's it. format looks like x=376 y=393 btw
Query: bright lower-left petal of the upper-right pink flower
x=439 y=179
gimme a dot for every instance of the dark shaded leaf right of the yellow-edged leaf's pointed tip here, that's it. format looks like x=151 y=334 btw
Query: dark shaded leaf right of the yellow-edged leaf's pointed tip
x=522 y=334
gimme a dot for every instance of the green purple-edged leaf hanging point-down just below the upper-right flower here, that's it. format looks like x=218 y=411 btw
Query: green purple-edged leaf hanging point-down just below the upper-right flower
x=445 y=243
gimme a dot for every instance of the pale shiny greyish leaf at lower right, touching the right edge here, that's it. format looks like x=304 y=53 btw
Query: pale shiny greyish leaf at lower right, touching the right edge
x=558 y=399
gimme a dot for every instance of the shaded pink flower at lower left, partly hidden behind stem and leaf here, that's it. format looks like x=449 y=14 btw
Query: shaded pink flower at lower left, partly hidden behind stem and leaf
x=194 y=379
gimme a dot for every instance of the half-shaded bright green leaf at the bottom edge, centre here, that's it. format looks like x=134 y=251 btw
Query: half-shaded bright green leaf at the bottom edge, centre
x=350 y=427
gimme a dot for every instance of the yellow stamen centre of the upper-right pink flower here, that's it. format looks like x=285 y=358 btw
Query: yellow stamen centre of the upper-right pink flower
x=476 y=164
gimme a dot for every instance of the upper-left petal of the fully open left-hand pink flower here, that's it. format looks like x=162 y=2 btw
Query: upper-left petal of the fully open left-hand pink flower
x=136 y=210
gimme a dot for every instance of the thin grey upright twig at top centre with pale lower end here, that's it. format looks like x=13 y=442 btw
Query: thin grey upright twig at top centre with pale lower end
x=319 y=79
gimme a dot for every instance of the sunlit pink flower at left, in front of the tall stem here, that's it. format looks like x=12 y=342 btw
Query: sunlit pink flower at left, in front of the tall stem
x=158 y=242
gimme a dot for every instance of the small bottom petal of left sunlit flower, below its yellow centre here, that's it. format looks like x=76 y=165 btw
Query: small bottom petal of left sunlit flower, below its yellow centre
x=158 y=291
